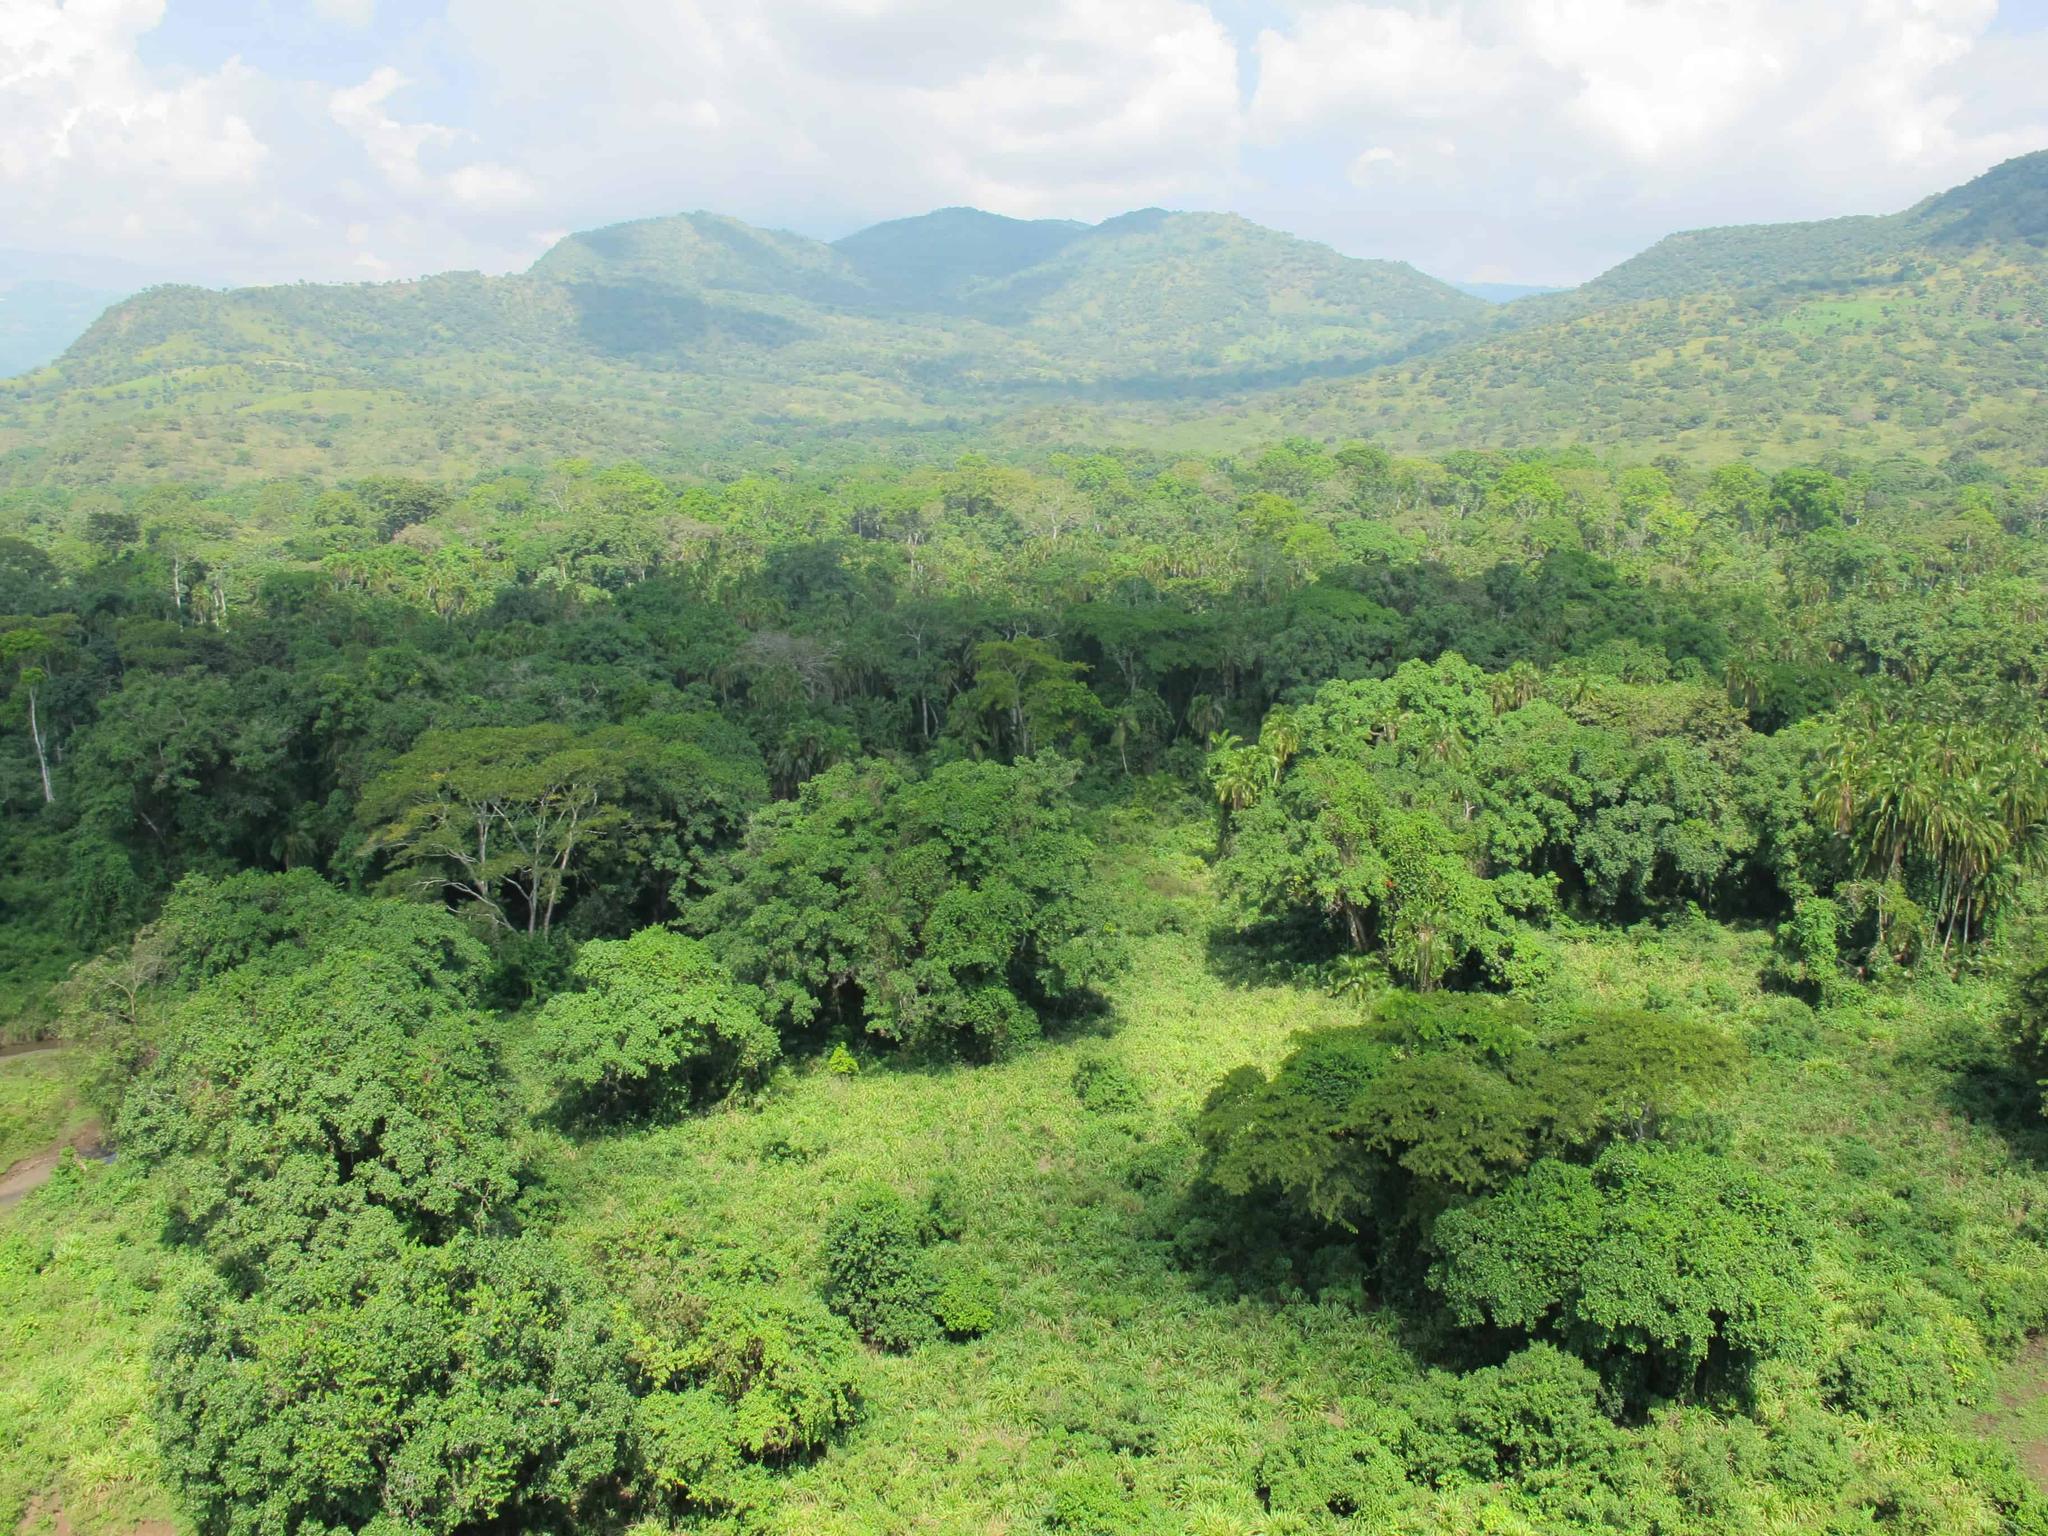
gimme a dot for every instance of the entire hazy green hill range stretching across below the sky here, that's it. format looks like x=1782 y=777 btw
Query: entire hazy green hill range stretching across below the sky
x=691 y=333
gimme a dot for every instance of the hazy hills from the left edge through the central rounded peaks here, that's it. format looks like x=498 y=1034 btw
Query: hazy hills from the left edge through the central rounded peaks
x=644 y=337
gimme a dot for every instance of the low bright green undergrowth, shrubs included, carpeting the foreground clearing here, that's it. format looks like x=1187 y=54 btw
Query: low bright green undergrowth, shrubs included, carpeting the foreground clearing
x=1132 y=1383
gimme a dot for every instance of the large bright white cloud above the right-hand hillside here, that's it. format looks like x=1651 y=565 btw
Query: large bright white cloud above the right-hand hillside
x=1590 y=128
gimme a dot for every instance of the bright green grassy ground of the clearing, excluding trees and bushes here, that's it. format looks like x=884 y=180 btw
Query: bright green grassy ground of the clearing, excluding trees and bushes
x=1125 y=1388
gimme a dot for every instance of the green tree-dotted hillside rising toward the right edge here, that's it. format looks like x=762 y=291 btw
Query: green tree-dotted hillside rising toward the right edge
x=1920 y=331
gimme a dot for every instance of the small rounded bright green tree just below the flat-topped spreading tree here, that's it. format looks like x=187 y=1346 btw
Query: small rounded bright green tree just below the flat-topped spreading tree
x=644 y=1017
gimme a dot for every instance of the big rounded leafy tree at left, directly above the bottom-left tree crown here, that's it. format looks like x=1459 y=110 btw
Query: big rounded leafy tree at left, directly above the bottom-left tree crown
x=284 y=1105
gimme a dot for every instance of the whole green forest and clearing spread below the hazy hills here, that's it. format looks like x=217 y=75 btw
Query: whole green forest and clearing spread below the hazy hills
x=1275 y=994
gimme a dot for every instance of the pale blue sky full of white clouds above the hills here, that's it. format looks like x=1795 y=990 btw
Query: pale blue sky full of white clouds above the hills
x=1484 y=140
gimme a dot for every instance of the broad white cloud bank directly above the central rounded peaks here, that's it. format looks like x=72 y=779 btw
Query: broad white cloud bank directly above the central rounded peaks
x=849 y=110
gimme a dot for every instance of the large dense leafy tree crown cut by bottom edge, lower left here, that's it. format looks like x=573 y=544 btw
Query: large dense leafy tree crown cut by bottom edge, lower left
x=462 y=1388
